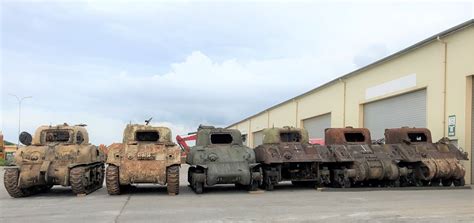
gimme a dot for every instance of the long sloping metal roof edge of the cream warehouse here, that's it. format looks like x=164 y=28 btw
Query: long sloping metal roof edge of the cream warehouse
x=355 y=72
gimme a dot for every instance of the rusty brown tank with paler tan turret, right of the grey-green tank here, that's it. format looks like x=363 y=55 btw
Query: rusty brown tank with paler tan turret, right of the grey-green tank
x=286 y=155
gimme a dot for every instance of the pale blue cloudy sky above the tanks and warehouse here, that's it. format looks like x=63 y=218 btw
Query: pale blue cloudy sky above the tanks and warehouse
x=108 y=63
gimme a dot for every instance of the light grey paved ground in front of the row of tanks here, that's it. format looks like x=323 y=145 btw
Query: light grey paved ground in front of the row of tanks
x=226 y=204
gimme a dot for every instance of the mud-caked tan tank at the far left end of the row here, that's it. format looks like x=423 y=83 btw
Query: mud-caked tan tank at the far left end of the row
x=56 y=155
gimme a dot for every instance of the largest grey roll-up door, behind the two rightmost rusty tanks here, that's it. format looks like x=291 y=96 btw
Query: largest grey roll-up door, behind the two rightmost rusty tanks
x=404 y=110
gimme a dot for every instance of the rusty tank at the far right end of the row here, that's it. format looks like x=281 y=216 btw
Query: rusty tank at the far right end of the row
x=428 y=163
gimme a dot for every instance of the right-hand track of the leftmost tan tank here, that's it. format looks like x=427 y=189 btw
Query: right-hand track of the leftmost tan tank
x=80 y=184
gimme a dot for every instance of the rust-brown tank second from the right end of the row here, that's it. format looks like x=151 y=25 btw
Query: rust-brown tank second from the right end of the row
x=370 y=164
